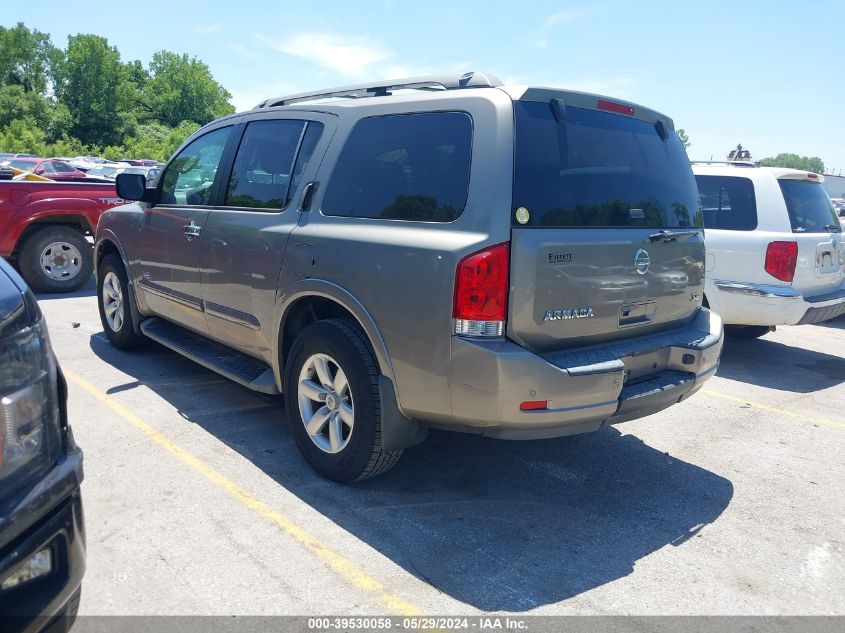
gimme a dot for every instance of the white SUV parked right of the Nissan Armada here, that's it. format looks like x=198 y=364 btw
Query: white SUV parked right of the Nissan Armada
x=775 y=253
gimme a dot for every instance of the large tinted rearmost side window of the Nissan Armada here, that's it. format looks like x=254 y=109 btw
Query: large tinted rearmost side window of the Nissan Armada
x=403 y=167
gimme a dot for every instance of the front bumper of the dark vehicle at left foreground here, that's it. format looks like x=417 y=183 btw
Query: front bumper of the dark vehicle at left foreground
x=48 y=603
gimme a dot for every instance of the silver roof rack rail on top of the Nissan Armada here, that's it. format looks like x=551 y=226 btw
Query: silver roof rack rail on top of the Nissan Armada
x=384 y=87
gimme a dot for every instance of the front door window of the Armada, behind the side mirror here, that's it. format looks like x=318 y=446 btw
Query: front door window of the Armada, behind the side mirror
x=189 y=177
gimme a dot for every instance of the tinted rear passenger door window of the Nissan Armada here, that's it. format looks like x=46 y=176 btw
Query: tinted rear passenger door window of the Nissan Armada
x=264 y=164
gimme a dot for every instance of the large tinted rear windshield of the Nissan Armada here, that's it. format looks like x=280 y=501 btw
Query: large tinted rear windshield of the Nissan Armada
x=598 y=169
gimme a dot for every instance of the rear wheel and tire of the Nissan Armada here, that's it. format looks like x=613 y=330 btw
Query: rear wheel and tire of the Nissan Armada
x=333 y=402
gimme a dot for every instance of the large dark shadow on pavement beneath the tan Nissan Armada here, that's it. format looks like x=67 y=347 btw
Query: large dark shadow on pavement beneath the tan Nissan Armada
x=497 y=525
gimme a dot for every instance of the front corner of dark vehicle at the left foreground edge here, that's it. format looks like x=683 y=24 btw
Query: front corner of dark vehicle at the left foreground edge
x=42 y=532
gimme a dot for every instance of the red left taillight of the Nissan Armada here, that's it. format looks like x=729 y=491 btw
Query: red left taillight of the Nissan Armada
x=481 y=292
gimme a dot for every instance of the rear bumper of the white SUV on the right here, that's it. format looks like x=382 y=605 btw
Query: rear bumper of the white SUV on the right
x=743 y=303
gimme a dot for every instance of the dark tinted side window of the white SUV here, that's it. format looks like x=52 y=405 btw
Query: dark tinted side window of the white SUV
x=727 y=202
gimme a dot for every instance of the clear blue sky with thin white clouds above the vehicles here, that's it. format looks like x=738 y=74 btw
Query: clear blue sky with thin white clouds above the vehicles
x=768 y=74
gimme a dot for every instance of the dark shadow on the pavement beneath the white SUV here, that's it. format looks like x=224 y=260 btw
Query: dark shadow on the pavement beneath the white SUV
x=770 y=364
